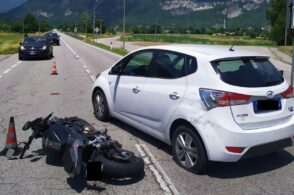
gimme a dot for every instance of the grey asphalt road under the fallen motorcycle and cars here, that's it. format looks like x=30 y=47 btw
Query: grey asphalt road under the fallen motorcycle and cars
x=25 y=93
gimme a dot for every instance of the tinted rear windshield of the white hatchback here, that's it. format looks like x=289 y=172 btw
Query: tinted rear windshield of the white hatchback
x=248 y=72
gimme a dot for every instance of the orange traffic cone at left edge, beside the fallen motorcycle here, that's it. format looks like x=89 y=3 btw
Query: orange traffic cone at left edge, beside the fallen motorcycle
x=11 y=141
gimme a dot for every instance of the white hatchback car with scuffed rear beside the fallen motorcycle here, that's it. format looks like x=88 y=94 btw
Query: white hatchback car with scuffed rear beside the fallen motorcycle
x=209 y=103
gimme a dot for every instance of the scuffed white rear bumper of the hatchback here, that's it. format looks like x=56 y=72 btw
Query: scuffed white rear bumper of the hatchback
x=222 y=133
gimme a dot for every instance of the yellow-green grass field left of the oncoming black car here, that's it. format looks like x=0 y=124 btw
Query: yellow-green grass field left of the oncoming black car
x=9 y=42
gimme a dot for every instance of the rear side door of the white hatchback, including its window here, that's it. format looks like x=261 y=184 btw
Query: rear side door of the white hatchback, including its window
x=164 y=90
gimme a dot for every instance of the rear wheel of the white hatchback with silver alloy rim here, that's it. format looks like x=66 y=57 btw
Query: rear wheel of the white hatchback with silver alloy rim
x=191 y=155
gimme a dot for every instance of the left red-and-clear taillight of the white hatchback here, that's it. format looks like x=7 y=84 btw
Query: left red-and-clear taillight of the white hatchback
x=214 y=98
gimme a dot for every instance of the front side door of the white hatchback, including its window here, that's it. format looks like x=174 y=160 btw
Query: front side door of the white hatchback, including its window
x=127 y=85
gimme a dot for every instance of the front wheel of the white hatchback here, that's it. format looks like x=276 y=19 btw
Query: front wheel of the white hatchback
x=100 y=105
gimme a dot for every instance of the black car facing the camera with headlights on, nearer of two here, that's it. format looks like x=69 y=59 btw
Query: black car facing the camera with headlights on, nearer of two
x=35 y=47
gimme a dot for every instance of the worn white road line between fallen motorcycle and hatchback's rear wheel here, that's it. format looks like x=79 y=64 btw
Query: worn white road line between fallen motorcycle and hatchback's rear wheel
x=165 y=183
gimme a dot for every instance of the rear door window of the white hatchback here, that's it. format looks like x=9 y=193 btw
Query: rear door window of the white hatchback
x=169 y=65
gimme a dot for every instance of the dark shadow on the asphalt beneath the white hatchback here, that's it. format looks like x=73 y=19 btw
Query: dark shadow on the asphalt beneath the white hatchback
x=246 y=167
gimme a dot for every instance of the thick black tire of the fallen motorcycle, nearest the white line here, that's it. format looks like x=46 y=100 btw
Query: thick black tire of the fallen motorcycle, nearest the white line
x=117 y=169
